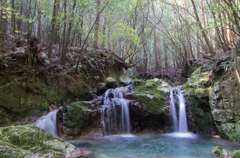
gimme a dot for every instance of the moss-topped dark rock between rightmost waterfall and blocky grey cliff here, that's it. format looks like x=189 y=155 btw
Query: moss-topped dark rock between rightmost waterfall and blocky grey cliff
x=200 y=119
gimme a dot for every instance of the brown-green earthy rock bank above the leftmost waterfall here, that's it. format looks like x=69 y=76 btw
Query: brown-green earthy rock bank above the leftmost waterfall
x=26 y=93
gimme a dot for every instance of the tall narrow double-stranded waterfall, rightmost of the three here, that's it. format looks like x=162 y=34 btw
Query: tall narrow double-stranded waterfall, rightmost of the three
x=181 y=125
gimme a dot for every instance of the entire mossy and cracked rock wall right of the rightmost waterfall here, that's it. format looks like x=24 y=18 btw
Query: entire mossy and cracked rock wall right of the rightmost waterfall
x=220 y=99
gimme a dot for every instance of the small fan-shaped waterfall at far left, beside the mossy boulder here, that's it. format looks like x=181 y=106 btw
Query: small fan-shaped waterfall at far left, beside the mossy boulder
x=48 y=122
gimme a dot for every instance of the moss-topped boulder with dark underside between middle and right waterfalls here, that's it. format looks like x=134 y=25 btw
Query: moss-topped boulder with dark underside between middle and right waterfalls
x=150 y=111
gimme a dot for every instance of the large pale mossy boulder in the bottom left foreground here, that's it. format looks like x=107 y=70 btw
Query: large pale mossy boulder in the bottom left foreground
x=31 y=141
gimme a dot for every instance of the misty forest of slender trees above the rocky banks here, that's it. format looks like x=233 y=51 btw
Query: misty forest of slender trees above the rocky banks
x=147 y=35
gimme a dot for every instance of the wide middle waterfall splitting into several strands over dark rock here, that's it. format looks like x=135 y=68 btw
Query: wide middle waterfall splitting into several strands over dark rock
x=116 y=112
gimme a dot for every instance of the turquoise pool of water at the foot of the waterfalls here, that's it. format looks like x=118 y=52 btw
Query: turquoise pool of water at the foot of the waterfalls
x=172 y=145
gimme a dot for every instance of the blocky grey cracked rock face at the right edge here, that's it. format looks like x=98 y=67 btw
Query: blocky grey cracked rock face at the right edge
x=224 y=101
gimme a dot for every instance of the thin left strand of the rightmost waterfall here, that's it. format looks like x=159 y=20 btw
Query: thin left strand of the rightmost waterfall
x=173 y=111
